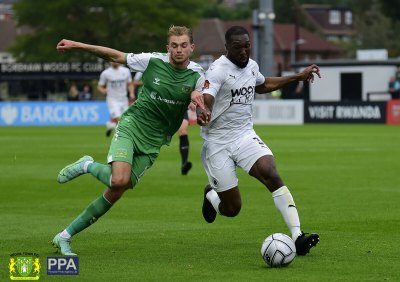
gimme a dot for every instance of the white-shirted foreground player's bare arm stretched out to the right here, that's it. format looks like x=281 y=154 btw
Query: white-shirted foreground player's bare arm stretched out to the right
x=274 y=83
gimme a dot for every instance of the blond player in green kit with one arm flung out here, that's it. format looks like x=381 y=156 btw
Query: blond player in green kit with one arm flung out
x=170 y=83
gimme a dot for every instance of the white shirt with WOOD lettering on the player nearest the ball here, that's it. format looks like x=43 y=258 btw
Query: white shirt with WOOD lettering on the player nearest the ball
x=233 y=89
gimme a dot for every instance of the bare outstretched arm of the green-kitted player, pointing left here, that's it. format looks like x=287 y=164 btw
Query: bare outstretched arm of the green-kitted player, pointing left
x=105 y=53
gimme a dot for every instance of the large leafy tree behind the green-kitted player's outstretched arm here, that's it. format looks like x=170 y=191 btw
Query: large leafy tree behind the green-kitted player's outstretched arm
x=127 y=25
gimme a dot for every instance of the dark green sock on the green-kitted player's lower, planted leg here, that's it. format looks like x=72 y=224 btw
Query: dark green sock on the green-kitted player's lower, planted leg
x=89 y=216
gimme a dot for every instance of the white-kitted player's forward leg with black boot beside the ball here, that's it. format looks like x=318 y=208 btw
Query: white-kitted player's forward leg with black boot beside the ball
x=264 y=169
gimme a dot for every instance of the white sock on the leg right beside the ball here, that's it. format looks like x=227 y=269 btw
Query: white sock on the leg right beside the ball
x=284 y=203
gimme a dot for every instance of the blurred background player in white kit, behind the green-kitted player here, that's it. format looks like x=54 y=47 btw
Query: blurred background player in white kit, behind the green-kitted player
x=116 y=82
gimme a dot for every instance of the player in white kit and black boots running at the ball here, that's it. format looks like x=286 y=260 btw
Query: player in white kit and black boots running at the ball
x=230 y=140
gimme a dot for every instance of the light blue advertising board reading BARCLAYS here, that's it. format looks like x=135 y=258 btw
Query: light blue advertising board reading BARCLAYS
x=53 y=113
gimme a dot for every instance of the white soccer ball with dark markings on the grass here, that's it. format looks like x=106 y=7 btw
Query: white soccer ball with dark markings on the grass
x=278 y=250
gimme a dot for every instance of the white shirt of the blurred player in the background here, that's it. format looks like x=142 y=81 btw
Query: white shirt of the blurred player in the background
x=116 y=81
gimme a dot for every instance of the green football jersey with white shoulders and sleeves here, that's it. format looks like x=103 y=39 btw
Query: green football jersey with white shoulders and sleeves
x=165 y=96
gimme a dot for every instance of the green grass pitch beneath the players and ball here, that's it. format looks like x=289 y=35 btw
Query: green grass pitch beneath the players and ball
x=344 y=178
